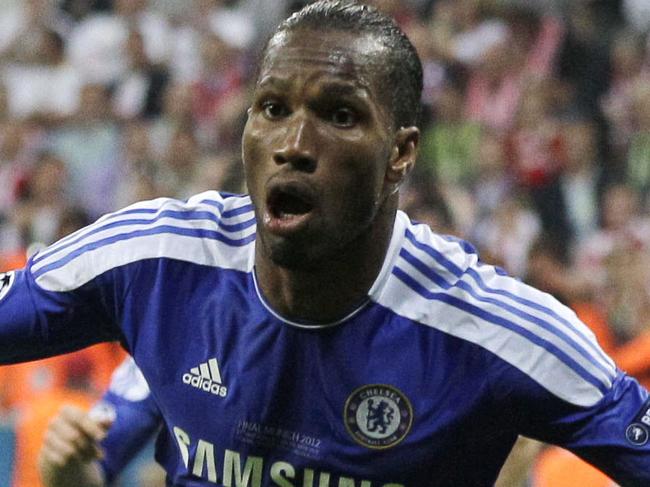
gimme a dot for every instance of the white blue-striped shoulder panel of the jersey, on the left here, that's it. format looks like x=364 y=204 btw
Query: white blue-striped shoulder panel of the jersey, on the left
x=210 y=228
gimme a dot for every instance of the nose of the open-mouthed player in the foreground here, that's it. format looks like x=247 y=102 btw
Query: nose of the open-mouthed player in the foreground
x=298 y=145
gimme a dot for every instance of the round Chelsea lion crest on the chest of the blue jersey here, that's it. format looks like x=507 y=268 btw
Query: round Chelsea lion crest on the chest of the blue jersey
x=378 y=416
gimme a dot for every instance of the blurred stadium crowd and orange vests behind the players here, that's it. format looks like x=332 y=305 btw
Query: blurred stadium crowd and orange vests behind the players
x=535 y=147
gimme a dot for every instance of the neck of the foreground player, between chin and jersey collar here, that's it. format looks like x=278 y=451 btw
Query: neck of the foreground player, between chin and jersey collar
x=331 y=289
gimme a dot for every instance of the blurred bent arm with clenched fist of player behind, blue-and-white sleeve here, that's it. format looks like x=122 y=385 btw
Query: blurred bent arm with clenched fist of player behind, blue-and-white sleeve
x=70 y=456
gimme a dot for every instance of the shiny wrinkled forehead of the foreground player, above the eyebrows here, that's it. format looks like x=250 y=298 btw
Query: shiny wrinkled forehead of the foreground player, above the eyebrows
x=355 y=58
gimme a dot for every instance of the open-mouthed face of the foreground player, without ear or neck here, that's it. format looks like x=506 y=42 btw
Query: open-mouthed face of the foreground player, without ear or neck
x=317 y=145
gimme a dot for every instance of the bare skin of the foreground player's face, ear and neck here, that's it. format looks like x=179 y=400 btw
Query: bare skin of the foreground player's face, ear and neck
x=320 y=130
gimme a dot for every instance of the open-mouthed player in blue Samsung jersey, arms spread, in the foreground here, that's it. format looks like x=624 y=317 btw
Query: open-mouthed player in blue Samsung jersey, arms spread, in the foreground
x=310 y=334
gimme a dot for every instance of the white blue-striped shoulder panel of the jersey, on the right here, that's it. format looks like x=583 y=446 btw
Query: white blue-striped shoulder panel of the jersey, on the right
x=441 y=282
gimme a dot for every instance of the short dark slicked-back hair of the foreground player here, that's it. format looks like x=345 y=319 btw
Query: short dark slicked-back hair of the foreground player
x=402 y=66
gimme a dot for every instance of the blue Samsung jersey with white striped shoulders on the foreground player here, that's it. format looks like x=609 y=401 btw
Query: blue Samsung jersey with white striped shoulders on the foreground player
x=427 y=383
